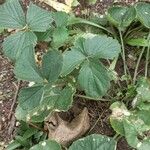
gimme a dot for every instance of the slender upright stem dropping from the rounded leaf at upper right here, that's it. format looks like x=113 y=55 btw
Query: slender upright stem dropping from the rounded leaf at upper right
x=123 y=53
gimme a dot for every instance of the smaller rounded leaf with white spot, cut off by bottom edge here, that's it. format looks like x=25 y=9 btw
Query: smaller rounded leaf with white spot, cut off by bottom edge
x=47 y=145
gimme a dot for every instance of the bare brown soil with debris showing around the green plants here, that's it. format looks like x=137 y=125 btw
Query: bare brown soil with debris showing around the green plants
x=99 y=111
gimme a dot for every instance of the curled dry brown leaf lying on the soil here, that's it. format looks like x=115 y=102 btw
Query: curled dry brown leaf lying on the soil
x=64 y=132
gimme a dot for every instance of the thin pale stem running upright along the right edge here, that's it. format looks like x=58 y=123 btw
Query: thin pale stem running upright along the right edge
x=147 y=56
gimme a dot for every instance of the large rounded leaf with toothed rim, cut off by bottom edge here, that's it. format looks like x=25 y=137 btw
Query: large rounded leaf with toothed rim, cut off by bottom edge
x=94 y=142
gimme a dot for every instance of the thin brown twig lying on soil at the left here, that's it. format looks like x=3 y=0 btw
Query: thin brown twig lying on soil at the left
x=14 y=100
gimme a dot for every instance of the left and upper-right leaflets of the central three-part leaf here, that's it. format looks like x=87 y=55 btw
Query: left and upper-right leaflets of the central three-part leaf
x=93 y=46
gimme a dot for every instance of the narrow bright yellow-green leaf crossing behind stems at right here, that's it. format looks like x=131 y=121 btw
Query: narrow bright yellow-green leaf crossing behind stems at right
x=137 y=42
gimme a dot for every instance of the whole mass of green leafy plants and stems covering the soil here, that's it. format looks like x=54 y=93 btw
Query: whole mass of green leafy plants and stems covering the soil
x=78 y=61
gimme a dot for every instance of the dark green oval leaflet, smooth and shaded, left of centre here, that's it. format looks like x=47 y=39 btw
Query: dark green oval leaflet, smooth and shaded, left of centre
x=52 y=65
